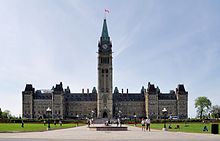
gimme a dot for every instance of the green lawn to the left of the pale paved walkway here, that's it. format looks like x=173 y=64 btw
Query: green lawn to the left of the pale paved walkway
x=30 y=127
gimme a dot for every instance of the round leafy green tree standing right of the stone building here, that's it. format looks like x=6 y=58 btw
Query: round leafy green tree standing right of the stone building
x=203 y=104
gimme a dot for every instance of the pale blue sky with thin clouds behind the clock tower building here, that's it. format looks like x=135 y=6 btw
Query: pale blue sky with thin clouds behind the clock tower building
x=165 y=42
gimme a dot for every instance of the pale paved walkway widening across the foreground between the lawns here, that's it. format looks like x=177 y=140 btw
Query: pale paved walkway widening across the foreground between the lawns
x=83 y=133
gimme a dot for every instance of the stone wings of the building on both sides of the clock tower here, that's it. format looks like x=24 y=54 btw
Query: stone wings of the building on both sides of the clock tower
x=148 y=103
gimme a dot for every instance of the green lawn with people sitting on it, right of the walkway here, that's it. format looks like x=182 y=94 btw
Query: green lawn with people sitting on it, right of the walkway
x=189 y=127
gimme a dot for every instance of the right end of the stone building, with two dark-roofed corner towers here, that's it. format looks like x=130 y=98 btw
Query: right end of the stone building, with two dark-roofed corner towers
x=176 y=102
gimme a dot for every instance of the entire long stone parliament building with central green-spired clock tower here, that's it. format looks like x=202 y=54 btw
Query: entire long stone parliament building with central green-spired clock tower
x=103 y=102
